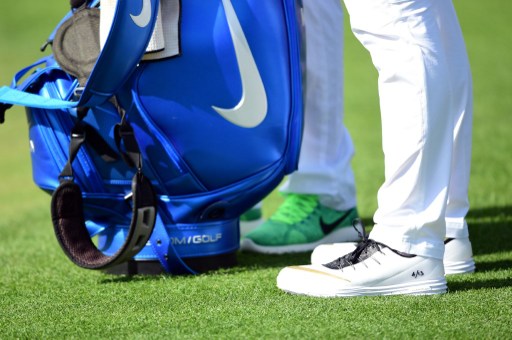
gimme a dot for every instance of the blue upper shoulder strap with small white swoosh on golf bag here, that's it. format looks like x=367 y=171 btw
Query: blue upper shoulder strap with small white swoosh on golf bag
x=126 y=41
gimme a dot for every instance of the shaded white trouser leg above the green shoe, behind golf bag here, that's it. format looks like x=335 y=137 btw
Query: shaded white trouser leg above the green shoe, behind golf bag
x=327 y=149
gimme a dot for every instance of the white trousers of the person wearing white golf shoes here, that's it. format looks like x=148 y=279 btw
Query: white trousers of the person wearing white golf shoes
x=425 y=92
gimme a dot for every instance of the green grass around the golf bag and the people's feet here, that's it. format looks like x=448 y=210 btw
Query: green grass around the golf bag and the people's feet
x=42 y=295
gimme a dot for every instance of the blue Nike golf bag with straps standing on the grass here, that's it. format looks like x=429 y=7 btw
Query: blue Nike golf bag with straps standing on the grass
x=158 y=157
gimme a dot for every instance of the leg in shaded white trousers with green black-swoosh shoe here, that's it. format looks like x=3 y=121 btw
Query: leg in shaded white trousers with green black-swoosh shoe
x=319 y=198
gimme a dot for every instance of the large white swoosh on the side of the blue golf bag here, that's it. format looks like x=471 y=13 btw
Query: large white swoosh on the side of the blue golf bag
x=253 y=106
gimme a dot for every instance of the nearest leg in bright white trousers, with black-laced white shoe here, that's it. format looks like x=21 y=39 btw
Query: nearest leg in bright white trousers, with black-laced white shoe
x=409 y=41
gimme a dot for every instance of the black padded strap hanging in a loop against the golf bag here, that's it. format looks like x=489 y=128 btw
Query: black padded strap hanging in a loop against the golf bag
x=68 y=214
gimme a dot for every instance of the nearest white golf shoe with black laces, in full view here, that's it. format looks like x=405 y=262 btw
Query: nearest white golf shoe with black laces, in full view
x=371 y=269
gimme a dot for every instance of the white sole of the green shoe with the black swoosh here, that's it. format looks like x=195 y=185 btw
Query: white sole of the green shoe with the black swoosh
x=344 y=234
